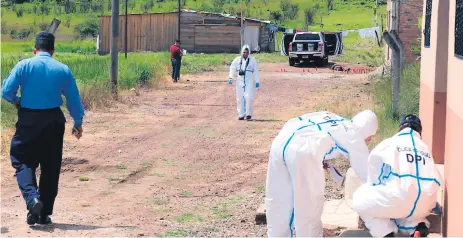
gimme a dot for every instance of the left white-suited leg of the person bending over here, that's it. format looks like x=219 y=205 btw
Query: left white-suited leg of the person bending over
x=279 y=196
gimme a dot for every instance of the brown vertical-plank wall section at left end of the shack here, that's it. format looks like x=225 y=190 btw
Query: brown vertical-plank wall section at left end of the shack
x=145 y=32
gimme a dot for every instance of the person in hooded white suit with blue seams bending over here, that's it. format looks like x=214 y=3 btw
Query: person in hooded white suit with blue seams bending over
x=295 y=177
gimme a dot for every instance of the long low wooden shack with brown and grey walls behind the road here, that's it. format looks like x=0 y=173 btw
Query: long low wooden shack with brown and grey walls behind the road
x=200 y=32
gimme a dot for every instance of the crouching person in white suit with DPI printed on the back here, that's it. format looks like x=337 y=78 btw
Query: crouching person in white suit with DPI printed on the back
x=402 y=184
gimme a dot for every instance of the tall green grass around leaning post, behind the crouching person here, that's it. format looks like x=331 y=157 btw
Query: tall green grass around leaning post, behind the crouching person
x=408 y=102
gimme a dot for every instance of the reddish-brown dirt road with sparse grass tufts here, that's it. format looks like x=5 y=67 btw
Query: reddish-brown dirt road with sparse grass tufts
x=176 y=161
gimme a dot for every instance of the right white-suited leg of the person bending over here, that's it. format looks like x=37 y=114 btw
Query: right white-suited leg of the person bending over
x=308 y=180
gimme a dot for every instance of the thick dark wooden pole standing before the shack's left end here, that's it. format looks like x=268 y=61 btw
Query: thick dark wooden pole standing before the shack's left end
x=113 y=44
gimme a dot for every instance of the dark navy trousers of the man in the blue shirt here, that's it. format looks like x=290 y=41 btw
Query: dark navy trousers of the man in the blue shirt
x=38 y=141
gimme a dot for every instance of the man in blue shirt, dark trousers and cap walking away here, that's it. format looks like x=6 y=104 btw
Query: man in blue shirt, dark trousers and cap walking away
x=38 y=139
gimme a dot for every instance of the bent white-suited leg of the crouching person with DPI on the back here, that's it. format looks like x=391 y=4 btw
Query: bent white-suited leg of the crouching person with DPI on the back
x=376 y=209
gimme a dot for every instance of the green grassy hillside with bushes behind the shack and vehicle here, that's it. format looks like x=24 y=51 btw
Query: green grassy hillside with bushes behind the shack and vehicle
x=21 y=20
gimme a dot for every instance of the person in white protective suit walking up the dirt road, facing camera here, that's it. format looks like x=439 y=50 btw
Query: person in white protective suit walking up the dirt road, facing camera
x=248 y=78
